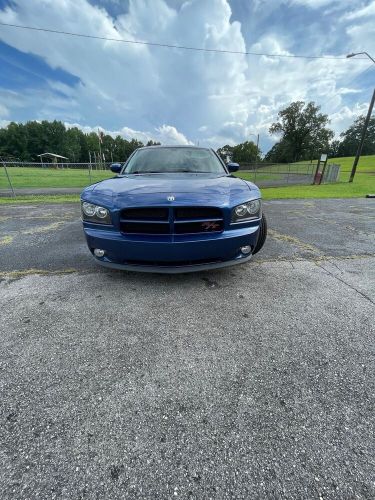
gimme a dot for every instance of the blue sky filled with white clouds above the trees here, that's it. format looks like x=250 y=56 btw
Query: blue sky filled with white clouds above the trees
x=178 y=96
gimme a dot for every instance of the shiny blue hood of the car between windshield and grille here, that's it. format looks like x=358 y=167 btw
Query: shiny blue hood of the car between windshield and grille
x=154 y=189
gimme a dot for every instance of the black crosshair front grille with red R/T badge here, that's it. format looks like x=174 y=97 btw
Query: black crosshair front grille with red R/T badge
x=171 y=220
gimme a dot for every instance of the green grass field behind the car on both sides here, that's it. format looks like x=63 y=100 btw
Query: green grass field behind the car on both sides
x=24 y=177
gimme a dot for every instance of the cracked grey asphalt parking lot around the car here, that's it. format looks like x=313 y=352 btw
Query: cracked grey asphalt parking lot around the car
x=255 y=381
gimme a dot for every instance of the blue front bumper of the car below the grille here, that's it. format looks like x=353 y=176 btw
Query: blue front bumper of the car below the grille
x=172 y=253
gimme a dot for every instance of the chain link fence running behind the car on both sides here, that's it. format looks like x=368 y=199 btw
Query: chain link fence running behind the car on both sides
x=55 y=178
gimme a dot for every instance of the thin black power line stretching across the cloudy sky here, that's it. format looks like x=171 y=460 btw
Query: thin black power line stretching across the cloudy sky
x=173 y=46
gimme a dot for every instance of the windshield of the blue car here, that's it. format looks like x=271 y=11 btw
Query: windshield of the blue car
x=174 y=160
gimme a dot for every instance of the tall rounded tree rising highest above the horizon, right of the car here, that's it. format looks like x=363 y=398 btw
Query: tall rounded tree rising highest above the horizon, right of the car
x=303 y=130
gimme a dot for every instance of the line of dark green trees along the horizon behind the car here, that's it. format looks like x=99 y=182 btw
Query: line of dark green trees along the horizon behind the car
x=302 y=130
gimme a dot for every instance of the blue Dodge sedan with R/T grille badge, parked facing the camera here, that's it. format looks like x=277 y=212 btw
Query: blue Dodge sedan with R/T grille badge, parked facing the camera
x=173 y=209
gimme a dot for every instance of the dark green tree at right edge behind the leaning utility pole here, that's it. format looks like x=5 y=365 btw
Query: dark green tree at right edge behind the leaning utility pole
x=348 y=144
